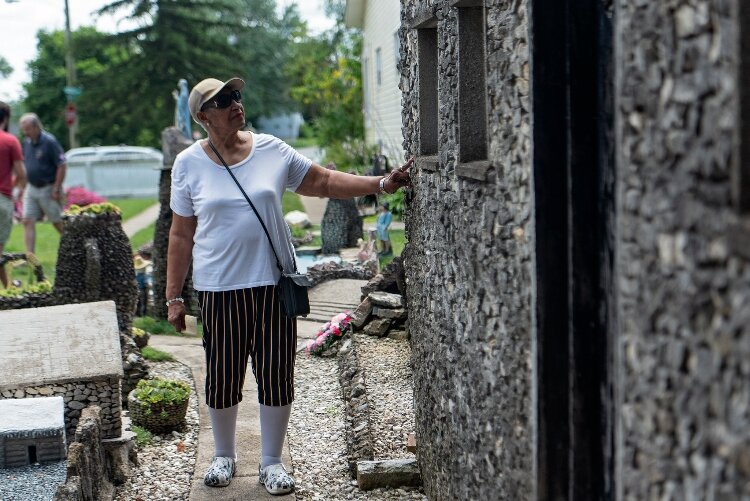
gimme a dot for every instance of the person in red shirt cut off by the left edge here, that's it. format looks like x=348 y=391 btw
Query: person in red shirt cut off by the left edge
x=12 y=173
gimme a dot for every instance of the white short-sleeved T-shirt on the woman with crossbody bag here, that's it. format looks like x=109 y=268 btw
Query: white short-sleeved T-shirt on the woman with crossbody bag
x=230 y=249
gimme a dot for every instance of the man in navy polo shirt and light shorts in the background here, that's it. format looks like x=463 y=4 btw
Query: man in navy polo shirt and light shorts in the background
x=45 y=167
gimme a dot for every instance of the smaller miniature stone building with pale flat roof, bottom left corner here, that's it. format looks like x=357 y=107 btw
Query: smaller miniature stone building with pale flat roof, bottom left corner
x=32 y=430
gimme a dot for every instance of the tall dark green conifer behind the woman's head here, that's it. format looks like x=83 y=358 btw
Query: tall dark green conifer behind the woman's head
x=174 y=39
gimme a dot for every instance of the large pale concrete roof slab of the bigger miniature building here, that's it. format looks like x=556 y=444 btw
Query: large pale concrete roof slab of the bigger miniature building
x=55 y=344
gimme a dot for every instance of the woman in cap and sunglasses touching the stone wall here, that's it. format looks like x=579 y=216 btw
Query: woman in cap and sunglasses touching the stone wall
x=234 y=268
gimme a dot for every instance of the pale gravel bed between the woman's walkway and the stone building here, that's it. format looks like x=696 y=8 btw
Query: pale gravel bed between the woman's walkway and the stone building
x=316 y=428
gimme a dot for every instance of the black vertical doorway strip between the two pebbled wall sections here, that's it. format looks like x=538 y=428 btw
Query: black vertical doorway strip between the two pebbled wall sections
x=574 y=178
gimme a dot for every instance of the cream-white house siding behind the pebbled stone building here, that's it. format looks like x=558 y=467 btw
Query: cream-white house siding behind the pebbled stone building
x=382 y=104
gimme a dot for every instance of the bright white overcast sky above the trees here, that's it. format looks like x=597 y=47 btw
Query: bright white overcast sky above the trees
x=20 y=21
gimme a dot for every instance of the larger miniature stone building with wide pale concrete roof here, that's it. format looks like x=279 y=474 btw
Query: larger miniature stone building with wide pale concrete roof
x=71 y=351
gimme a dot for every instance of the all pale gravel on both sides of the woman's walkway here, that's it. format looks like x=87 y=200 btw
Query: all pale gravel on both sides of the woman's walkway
x=316 y=430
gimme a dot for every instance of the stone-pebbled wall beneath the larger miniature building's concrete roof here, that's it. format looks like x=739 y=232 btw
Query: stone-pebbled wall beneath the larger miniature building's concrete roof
x=77 y=396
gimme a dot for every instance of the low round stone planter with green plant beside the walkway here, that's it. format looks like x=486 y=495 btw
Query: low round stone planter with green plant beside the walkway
x=159 y=405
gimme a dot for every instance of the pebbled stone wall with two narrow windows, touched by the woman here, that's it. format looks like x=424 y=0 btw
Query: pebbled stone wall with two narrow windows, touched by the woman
x=468 y=267
